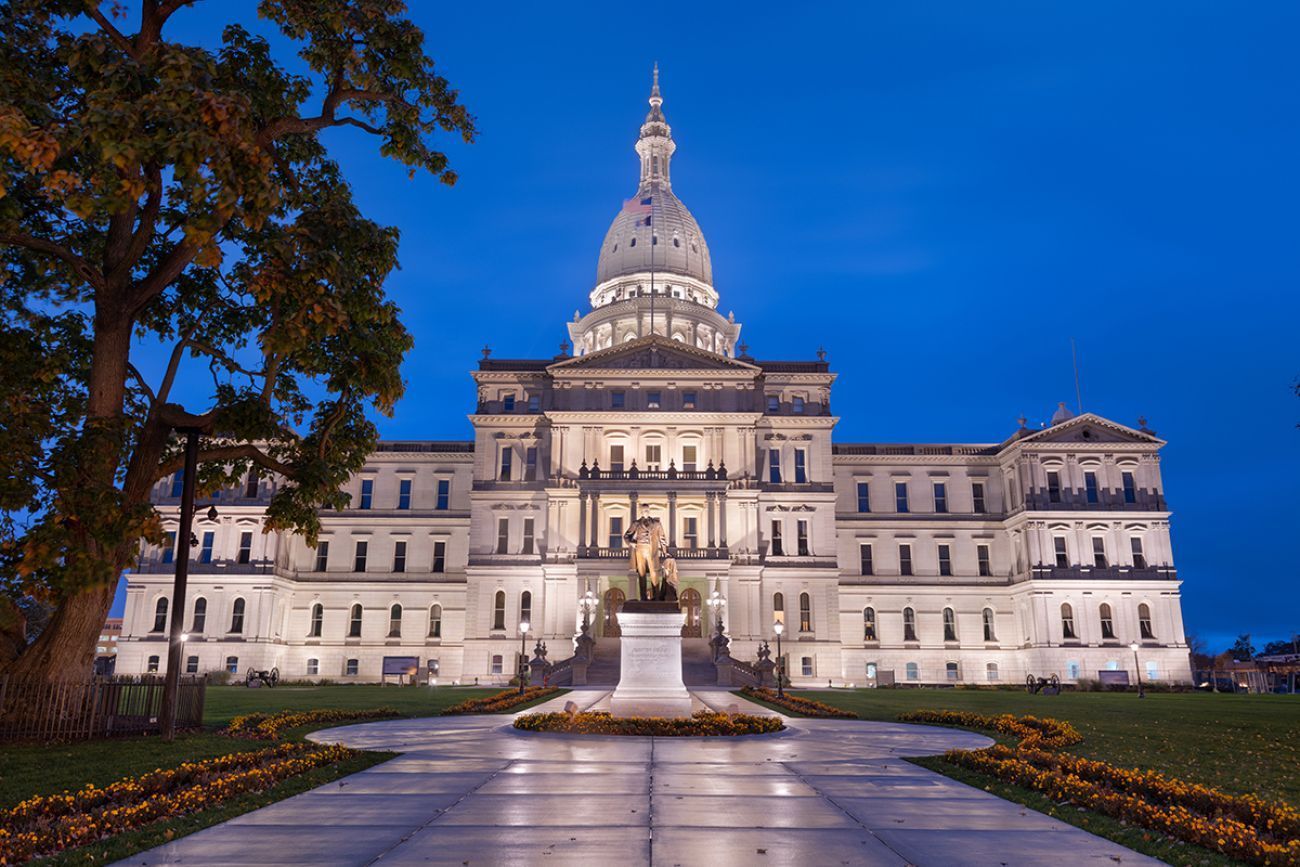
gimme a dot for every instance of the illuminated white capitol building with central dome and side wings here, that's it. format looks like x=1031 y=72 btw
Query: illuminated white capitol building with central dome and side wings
x=1045 y=550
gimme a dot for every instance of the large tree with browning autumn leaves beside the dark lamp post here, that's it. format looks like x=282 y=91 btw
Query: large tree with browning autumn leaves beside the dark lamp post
x=154 y=193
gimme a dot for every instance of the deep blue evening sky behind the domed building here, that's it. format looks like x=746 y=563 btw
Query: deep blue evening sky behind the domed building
x=941 y=194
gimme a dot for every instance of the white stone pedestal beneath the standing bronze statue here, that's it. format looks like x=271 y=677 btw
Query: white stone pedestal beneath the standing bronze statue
x=651 y=666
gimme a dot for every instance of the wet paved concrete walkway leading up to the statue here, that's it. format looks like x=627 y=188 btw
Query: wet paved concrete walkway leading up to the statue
x=473 y=791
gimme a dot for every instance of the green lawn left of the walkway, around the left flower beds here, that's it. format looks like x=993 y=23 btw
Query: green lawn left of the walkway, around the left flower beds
x=28 y=770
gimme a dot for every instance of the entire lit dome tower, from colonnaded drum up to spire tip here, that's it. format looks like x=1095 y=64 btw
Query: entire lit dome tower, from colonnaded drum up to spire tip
x=655 y=275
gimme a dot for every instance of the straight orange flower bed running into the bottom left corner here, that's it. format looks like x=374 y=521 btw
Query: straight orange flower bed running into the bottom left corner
x=47 y=825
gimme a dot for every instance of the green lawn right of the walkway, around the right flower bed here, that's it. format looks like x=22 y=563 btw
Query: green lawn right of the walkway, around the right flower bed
x=1240 y=744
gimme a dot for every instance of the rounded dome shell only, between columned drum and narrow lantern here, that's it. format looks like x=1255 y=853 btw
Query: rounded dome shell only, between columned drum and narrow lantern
x=673 y=240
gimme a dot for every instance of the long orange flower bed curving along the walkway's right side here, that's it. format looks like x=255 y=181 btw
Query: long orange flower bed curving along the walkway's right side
x=1242 y=827
